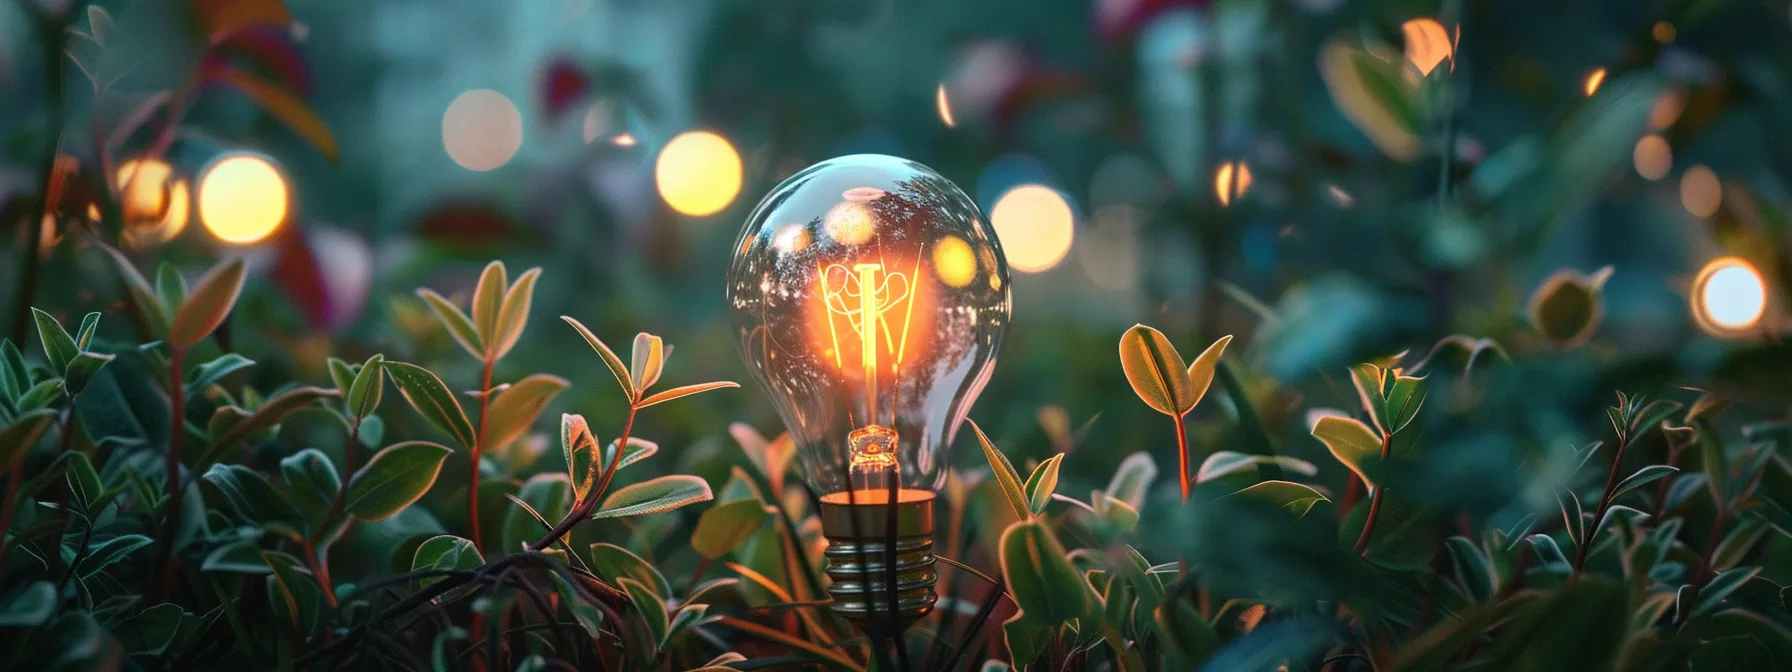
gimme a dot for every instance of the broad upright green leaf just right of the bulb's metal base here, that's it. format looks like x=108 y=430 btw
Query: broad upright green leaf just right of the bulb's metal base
x=1040 y=578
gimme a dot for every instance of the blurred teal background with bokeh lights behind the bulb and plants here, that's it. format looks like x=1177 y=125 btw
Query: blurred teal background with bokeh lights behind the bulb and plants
x=1329 y=180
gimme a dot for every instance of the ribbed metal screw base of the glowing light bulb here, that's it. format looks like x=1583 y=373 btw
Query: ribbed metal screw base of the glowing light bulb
x=881 y=556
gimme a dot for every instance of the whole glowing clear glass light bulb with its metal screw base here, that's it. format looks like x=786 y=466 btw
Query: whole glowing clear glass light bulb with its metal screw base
x=868 y=297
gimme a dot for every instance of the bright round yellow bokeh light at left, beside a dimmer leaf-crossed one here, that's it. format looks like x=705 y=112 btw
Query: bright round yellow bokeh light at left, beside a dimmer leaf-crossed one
x=243 y=198
